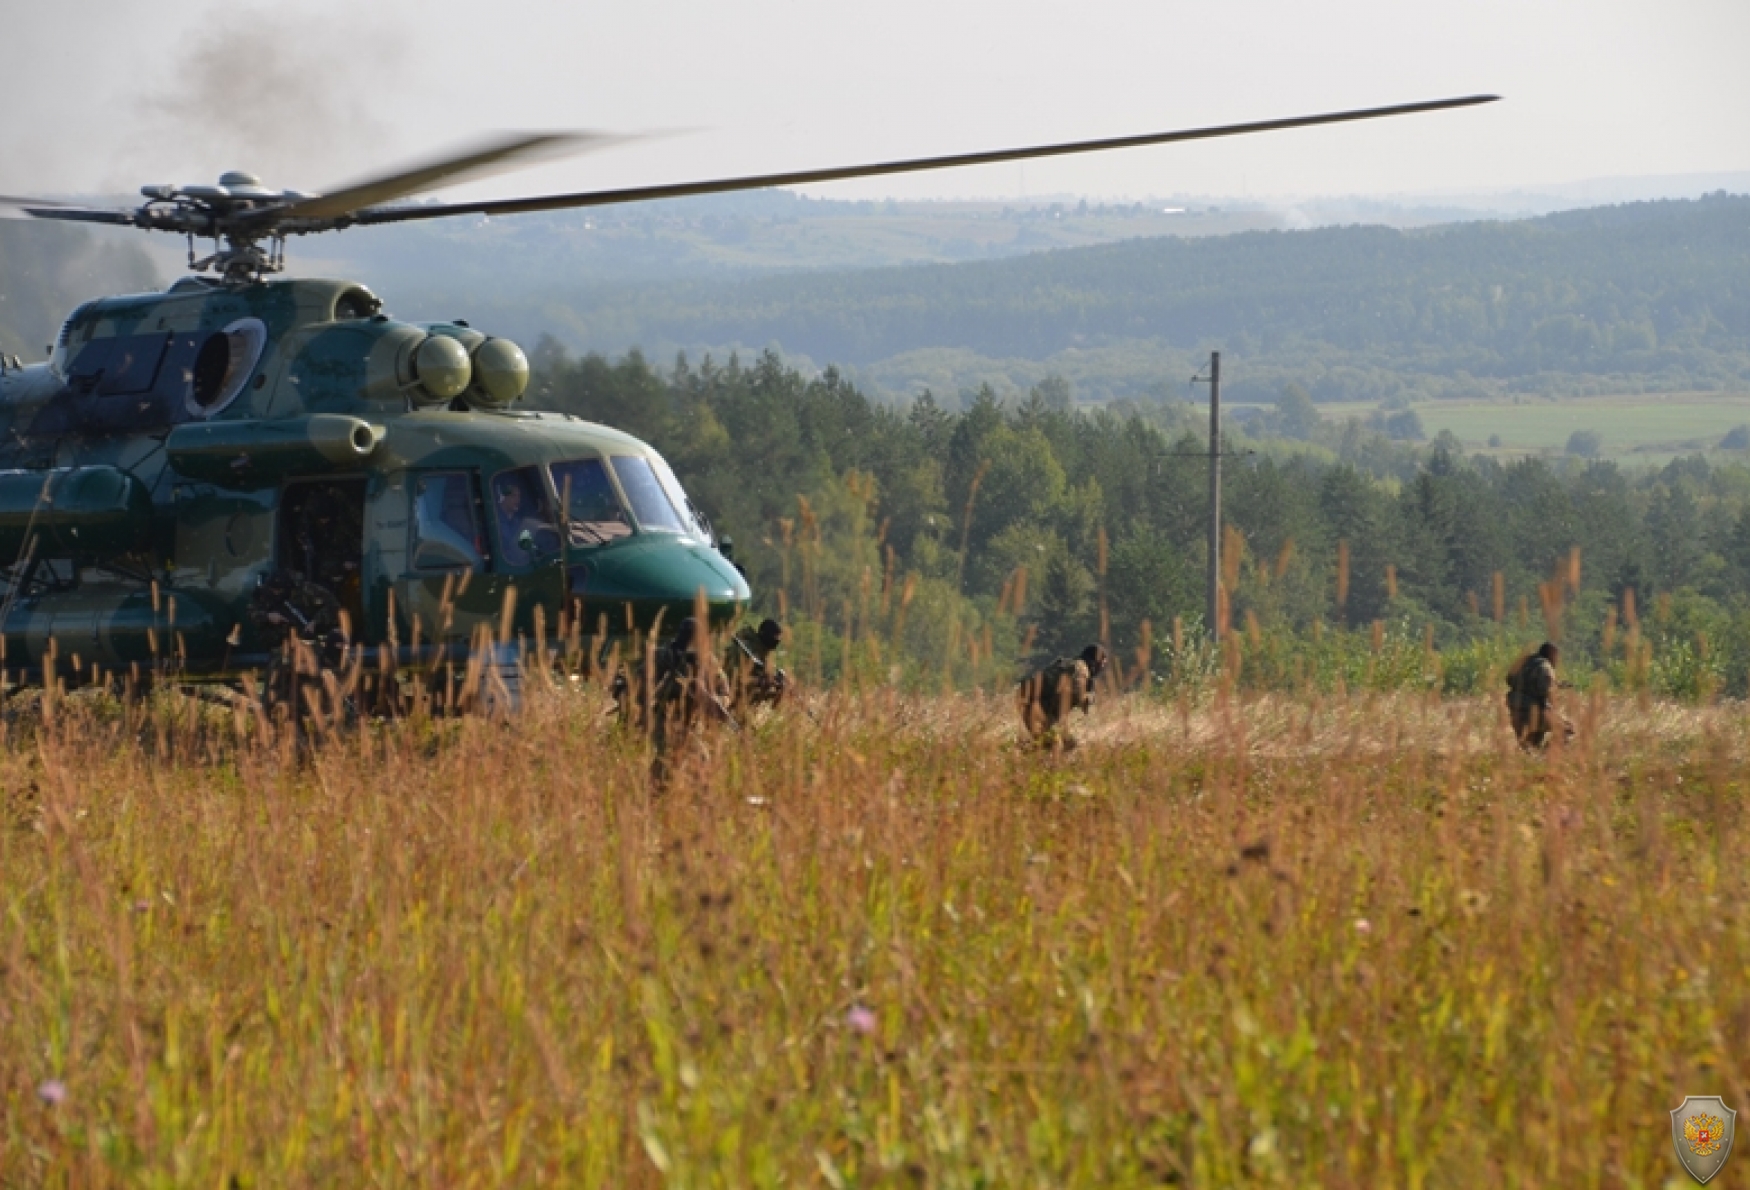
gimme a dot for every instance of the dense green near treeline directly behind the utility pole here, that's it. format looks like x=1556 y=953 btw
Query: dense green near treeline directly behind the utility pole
x=1025 y=529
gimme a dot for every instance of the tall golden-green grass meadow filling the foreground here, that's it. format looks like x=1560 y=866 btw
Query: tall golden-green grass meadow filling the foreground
x=1347 y=942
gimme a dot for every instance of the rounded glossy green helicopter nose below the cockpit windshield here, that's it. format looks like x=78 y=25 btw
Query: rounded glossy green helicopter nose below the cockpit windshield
x=636 y=580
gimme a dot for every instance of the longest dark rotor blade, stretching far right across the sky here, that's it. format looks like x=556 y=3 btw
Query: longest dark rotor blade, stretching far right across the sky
x=801 y=178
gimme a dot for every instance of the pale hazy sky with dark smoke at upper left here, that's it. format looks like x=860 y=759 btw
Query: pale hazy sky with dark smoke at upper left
x=108 y=95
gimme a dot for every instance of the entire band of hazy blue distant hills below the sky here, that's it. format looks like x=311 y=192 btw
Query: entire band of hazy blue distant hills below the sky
x=1637 y=298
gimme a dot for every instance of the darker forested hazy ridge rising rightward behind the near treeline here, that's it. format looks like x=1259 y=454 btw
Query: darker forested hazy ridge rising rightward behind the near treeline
x=1646 y=297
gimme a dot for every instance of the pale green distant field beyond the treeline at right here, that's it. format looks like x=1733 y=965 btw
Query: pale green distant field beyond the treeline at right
x=1635 y=428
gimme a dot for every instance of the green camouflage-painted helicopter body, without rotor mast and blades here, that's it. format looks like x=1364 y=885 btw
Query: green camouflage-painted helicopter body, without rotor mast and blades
x=181 y=447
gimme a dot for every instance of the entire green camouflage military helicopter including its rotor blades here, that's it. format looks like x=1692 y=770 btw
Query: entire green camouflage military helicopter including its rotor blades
x=200 y=473
